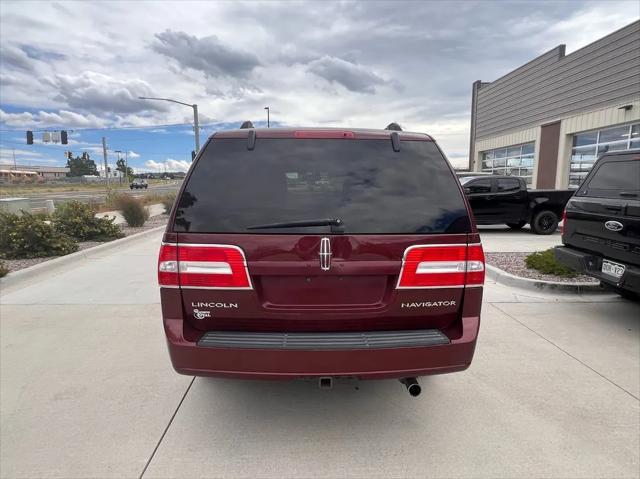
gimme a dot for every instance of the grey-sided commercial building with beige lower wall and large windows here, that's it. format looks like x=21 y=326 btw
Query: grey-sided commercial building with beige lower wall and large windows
x=549 y=120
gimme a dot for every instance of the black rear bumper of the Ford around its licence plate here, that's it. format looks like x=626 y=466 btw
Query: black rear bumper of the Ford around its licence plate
x=591 y=265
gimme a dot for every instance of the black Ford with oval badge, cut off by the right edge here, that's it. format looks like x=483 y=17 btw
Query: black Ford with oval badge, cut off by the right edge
x=601 y=233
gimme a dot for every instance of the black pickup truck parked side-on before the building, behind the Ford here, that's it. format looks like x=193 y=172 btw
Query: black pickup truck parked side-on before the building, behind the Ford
x=498 y=199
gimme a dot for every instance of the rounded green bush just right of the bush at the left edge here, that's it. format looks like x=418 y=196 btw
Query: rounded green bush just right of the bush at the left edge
x=78 y=220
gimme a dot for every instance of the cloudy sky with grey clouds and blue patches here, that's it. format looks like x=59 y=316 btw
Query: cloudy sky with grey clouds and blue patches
x=82 y=65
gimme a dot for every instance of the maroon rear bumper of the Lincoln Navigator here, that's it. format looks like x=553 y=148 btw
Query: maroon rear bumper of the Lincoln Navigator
x=272 y=363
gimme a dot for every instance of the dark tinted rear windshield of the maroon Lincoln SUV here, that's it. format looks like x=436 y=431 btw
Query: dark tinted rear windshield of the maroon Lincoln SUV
x=364 y=183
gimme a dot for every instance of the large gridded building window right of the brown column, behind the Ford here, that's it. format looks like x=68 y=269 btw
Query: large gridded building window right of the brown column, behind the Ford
x=588 y=146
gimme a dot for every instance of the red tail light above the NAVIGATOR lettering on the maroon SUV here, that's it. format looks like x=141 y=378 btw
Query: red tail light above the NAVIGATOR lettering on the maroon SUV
x=442 y=266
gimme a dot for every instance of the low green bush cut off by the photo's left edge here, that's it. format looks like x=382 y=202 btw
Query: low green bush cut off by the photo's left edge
x=32 y=236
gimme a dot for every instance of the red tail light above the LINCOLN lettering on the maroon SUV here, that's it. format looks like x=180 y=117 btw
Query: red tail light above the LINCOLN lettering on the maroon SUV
x=202 y=266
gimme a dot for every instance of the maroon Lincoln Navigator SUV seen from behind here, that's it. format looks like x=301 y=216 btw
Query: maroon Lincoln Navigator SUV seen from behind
x=321 y=253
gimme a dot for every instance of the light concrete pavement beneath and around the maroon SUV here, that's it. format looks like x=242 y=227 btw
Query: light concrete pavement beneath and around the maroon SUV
x=87 y=390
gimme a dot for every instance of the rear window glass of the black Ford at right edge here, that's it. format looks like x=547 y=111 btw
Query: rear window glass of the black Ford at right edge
x=612 y=178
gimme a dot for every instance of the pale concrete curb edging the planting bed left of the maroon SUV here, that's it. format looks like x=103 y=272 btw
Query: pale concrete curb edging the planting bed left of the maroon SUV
x=25 y=274
